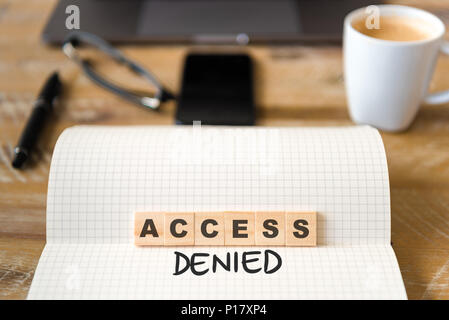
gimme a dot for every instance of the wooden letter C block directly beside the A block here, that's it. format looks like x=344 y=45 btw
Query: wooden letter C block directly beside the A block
x=179 y=229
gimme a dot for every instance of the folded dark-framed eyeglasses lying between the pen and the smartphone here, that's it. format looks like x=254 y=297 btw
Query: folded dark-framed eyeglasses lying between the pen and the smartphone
x=80 y=38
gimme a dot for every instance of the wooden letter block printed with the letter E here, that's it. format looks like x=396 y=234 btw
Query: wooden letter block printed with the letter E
x=239 y=228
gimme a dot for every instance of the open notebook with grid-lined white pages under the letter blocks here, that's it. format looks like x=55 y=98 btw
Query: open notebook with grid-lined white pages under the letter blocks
x=100 y=176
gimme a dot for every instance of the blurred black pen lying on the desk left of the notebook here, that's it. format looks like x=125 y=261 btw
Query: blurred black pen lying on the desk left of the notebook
x=43 y=108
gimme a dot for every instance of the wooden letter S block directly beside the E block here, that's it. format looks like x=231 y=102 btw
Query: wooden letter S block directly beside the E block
x=270 y=228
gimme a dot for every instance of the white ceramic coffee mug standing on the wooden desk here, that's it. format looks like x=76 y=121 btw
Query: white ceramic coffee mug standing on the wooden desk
x=386 y=81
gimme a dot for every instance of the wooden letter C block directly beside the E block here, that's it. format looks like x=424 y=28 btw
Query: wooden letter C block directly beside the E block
x=209 y=229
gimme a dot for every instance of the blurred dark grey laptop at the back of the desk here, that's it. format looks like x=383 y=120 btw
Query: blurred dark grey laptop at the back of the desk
x=205 y=21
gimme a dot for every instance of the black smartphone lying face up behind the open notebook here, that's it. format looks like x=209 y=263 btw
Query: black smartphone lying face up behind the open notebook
x=217 y=89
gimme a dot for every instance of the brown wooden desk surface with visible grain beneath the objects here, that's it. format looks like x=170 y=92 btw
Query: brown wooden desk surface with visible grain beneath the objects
x=295 y=86
